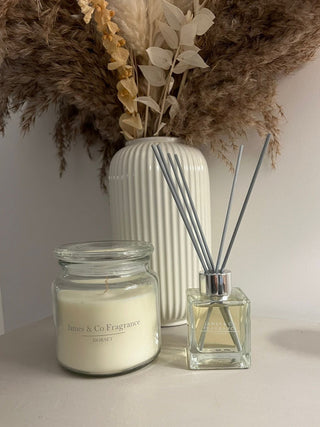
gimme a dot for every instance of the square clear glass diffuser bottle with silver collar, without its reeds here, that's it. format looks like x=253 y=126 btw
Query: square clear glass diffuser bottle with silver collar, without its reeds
x=218 y=324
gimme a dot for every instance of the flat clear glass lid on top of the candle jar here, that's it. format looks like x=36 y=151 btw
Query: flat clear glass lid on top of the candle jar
x=104 y=250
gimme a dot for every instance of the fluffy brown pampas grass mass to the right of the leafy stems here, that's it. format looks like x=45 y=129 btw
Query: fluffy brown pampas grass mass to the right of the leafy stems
x=251 y=45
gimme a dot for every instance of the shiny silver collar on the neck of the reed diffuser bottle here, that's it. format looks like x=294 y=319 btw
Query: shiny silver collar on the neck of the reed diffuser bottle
x=215 y=284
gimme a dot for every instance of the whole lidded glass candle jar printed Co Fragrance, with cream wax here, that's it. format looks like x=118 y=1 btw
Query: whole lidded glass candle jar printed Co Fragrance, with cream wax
x=106 y=307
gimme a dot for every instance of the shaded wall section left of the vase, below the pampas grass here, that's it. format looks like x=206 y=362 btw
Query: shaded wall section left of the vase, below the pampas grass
x=39 y=211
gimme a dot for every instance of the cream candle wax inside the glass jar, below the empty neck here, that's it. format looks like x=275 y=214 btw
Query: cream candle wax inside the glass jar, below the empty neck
x=106 y=332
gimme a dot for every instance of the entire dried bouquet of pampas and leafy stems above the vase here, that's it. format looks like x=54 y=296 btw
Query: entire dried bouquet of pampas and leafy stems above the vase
x=141 y=67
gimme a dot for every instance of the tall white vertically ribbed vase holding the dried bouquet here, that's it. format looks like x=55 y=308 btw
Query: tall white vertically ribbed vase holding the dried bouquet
x=142 y=208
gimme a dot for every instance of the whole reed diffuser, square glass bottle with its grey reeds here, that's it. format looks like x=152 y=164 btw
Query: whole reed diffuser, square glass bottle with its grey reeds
x=218 y=315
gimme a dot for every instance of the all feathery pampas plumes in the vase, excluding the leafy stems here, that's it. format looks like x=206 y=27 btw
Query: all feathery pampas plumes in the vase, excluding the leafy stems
x=48 y=55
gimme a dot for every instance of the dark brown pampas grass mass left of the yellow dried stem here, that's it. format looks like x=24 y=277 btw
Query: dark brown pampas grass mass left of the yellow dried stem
x=49 y=56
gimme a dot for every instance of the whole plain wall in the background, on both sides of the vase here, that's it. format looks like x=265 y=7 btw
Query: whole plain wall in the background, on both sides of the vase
x=276 y=255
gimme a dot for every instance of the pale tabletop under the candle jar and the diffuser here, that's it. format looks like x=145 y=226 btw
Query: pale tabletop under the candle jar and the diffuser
x=282 y=388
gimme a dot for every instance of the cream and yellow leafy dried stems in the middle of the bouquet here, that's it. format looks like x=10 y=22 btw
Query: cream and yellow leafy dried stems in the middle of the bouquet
x=158 y=65
